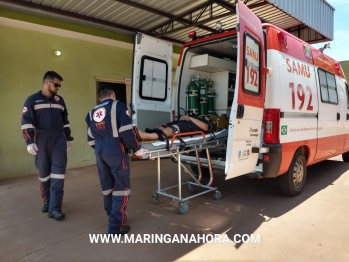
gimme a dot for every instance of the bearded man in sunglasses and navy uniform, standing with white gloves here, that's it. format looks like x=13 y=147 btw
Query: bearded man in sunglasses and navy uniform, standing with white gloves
x=46 y=129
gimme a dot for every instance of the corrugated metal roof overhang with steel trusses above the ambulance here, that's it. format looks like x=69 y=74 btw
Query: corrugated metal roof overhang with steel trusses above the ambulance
x=298 y=17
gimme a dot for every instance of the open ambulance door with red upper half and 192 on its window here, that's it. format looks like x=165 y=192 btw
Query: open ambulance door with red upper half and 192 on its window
x=246 y=115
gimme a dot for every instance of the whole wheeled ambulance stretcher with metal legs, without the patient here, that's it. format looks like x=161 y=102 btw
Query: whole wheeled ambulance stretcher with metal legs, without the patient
x=184 y=143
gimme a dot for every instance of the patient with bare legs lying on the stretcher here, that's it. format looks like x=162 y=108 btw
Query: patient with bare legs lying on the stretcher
x=185 y=124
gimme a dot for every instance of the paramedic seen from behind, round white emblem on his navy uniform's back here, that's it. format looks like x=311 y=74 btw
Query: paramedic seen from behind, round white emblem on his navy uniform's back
x=110 y=133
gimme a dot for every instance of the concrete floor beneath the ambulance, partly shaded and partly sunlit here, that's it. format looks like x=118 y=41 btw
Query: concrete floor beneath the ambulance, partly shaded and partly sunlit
x=313 y=226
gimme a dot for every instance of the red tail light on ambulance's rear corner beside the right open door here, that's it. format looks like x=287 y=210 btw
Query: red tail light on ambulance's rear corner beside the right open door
x=272 y=126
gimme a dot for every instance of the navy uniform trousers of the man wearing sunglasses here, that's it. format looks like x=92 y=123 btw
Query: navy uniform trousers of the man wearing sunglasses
x=51 y=162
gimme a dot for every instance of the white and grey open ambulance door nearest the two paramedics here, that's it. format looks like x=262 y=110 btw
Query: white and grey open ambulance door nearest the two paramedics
x=151 y=82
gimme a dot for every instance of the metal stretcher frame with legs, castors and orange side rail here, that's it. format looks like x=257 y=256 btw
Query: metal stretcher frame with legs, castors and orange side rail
x=176 y=151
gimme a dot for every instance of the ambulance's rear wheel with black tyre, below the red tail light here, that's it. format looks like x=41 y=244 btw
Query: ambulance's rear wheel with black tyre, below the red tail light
x=292 y=182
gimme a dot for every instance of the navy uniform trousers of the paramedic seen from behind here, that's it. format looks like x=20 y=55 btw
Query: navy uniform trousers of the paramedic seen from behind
x=114 y=176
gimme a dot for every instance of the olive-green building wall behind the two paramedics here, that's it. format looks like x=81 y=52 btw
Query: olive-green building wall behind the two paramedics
x=25 y=56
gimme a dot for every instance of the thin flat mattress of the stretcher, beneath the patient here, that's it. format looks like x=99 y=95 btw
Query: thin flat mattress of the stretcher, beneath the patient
x=188 y=140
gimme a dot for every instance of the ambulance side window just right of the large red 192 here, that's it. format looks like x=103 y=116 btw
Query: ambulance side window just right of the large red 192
x=328 y=87
